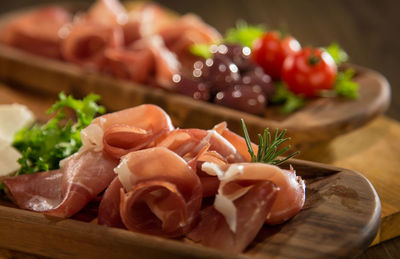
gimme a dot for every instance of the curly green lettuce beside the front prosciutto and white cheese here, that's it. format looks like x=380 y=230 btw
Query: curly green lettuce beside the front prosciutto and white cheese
x=43 y=146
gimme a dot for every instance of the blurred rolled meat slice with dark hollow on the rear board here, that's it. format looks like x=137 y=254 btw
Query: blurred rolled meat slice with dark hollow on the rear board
x=86 y=43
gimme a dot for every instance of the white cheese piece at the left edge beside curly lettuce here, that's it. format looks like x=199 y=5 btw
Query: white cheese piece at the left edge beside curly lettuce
x=13 y=117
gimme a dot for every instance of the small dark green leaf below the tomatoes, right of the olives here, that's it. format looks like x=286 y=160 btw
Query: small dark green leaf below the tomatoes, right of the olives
x=290 y=102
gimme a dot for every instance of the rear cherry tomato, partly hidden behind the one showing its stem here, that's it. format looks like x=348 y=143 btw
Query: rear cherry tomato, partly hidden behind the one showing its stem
x=270 y=51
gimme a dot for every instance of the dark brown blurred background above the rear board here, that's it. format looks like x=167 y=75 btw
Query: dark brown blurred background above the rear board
x=366 y=29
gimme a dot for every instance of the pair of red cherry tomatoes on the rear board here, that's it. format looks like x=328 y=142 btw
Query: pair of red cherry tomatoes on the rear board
x=306 y=71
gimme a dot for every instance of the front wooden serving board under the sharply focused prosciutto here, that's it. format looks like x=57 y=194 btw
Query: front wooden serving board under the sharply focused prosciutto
x=340 y=219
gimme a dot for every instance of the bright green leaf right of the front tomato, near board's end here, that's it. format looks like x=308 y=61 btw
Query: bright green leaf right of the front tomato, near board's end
x=345 y=86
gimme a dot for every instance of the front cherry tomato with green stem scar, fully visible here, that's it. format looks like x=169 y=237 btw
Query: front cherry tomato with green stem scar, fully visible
x=309 y=71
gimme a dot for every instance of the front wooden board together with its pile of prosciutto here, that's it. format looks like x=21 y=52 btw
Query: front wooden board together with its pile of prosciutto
x=142 y=178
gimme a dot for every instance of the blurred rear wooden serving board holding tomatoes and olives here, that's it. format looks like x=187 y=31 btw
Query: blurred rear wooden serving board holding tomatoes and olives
x=321 y=119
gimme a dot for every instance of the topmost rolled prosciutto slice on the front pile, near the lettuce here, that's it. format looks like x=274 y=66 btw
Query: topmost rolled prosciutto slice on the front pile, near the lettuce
x=128 y=130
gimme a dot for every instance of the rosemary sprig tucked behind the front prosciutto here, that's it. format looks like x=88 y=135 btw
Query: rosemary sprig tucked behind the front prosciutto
x=268 y=148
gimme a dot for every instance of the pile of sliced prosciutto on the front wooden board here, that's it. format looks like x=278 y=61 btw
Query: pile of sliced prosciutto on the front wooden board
x=155 y=179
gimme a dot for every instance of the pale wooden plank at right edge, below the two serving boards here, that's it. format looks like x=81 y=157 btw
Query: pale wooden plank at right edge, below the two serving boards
x=373 y=150
